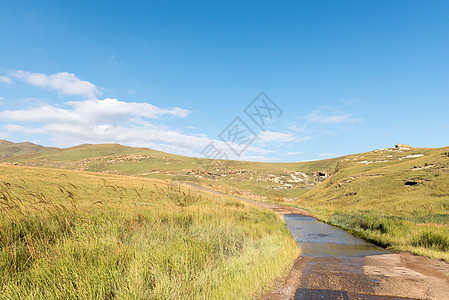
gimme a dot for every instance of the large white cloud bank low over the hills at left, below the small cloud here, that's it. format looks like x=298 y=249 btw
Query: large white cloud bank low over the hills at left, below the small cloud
x=114 y=121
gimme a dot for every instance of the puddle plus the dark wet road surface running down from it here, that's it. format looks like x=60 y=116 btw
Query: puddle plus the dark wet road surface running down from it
x=333 y=258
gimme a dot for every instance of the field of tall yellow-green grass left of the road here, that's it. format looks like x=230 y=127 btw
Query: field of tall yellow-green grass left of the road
x=69 y=234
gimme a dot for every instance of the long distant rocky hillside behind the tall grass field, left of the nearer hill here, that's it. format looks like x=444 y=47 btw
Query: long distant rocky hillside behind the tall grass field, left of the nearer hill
x=250 y=178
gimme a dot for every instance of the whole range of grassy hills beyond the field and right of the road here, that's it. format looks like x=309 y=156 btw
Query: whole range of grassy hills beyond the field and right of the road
x=395 y=197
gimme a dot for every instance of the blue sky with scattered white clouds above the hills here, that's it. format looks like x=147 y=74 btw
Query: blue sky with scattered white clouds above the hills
x=349 y=76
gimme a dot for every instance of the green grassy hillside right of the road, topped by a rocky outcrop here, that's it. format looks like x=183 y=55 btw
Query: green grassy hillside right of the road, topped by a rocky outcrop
x=396 y=198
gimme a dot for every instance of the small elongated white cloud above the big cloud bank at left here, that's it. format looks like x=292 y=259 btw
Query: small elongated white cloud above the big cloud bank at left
x=65 y=83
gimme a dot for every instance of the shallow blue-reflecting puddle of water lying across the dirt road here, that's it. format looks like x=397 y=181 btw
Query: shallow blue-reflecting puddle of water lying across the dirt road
x=318 y=239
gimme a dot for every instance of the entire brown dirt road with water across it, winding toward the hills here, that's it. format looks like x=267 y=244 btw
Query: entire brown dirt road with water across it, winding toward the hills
x=336 y=265
